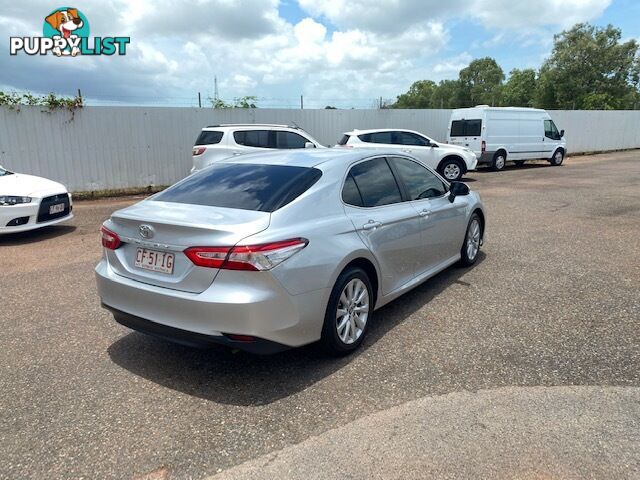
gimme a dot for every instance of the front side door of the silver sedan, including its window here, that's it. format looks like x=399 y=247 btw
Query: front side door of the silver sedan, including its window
x=442 y=221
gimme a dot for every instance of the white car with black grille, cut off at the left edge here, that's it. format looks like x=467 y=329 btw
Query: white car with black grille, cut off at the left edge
x=28 y=202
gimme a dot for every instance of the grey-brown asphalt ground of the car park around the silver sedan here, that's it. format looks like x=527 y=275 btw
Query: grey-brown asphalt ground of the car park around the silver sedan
x=543 y=331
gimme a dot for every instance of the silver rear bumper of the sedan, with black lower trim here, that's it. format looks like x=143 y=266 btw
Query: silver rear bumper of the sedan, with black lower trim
x=261 y=308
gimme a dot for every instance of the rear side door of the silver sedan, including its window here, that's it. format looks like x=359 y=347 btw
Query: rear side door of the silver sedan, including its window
x=388 y=226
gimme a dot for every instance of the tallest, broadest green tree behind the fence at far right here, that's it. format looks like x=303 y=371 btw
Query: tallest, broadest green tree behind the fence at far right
x=590 y=68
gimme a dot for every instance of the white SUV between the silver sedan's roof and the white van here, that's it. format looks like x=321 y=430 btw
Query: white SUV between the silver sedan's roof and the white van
x=451 y=161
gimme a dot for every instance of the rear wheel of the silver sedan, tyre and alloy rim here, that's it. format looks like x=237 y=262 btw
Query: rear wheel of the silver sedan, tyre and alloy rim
x=349 y=312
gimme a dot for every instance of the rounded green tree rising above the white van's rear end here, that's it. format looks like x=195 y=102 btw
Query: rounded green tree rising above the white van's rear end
x=480 y=83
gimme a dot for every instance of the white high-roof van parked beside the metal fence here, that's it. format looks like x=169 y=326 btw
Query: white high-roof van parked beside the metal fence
x=501 y=134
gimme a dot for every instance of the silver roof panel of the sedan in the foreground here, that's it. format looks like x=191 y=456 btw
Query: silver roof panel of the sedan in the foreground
x=308 y=157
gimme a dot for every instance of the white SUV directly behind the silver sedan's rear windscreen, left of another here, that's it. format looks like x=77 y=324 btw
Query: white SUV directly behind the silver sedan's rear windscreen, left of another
x=218 y=142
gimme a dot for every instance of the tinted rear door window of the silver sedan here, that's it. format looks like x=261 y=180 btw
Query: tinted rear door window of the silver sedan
x=375 y=183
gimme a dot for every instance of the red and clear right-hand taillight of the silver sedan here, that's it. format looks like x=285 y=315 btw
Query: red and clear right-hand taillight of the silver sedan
x=247 y=257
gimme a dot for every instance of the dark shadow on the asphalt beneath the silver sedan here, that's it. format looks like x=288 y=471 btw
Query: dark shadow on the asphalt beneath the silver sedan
x=227 y=377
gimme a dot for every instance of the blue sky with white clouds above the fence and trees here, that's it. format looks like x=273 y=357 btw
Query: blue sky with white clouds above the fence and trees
x=346 y=53
